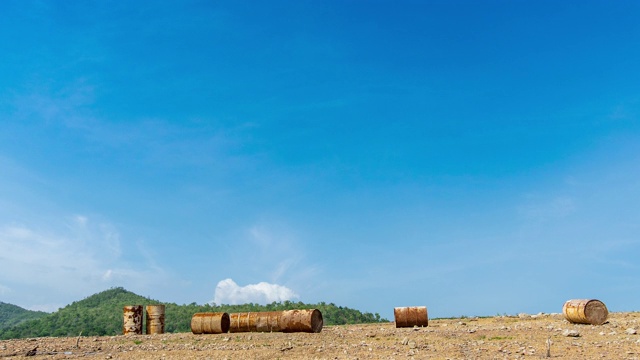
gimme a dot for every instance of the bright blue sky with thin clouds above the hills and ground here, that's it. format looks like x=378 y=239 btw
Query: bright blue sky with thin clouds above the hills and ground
x=477 y=158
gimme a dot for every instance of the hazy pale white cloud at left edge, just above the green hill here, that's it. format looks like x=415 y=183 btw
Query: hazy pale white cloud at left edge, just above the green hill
x=83 y=258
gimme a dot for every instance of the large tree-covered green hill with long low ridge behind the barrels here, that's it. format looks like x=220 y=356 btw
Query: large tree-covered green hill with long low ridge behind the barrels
x=101 y=314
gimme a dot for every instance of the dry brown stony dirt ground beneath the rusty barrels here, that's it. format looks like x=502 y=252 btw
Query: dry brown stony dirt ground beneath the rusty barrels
x=502 y=337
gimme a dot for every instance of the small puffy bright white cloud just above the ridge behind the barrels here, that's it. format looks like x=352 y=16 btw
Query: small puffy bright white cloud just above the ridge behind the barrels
x=228 y=292
